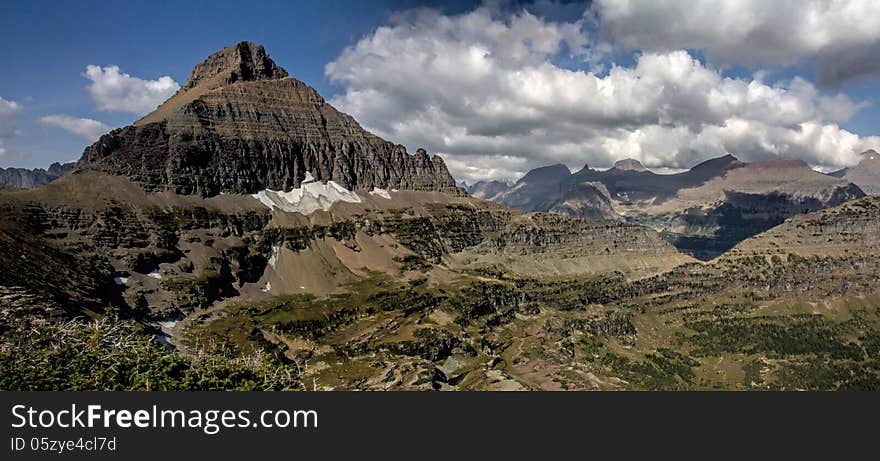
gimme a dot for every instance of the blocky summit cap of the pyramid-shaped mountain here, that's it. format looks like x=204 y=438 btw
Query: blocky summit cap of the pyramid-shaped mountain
x=245 y=61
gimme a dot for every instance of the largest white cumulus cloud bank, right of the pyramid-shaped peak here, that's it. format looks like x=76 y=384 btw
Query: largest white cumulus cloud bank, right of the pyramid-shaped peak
x=486 y=92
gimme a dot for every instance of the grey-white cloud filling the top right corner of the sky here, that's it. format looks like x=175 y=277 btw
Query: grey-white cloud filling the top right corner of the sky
x=842 y=37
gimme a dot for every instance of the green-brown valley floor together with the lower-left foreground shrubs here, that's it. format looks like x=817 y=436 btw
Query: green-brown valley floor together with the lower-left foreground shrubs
x=747 y=323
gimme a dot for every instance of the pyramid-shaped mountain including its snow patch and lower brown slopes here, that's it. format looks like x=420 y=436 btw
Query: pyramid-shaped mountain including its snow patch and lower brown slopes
x=246 y=185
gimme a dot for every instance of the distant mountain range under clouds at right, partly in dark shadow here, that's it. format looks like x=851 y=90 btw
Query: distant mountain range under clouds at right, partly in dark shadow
x=703 y=211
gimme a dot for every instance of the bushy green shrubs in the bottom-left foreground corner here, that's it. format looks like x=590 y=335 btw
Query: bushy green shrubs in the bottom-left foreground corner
x=106 y=355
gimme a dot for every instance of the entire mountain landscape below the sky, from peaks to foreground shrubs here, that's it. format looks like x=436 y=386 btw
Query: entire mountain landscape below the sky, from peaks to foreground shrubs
x=248 y=236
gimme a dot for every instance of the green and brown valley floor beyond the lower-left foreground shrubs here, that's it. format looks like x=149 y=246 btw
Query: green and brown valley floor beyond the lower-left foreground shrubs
x=697 y=327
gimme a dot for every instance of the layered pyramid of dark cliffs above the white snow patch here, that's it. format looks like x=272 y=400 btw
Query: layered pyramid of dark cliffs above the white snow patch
x=241 y=125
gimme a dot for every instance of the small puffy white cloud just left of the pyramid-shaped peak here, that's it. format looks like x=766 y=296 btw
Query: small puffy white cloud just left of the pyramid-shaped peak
x=113 y=90
